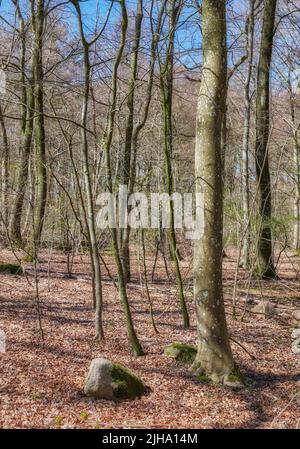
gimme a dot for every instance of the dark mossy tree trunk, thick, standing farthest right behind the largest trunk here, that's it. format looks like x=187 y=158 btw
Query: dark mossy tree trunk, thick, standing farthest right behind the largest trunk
x=265 y=266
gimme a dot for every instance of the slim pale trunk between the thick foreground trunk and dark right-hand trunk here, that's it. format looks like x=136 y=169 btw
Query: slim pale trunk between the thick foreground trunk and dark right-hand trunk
x=245 y=256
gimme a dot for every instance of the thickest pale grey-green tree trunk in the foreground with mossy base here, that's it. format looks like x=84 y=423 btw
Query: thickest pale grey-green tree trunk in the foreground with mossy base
x=214 y=357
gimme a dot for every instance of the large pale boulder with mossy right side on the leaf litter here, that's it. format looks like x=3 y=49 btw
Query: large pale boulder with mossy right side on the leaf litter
x=112 y=381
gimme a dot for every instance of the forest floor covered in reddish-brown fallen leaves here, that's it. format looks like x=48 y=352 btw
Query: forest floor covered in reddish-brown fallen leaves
x=41 y=383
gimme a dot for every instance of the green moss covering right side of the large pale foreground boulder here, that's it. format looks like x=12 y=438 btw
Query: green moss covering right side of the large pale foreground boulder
x=126 y=385
